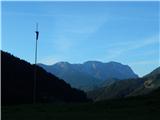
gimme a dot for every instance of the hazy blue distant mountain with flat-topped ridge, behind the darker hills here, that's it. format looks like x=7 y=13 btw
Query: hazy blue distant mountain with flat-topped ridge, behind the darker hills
x=91 y=74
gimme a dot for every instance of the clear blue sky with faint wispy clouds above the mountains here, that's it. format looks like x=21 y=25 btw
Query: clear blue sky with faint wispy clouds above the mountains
x=125 y=32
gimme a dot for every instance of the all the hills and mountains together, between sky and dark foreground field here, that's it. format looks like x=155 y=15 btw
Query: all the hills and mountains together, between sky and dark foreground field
x=18 y=78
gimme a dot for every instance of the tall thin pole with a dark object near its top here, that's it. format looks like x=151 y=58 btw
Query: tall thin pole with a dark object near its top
x=35 y=69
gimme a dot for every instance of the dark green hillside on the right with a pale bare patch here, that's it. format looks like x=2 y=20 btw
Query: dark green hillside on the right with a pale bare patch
x=129 y=87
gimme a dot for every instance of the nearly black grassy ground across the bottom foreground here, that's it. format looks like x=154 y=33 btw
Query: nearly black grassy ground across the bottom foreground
x=136 y=108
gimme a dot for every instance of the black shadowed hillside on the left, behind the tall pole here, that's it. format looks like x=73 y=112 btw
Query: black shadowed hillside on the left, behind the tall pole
x=17 y=84
